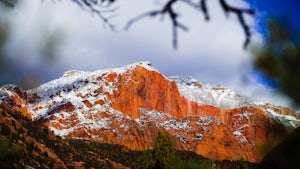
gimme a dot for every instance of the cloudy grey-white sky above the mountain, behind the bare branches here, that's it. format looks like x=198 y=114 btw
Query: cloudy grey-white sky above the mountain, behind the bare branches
x=212 y=52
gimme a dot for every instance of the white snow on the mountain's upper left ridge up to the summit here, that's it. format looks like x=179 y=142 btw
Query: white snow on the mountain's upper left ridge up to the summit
x=74 y=85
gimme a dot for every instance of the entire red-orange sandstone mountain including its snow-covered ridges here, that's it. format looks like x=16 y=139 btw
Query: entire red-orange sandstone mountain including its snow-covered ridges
x=128 y=106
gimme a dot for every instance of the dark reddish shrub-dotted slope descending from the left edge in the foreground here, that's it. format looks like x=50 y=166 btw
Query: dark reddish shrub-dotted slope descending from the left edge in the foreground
x=25 y=144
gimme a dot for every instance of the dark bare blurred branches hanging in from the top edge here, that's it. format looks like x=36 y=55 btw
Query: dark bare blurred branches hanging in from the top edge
x=173 y=14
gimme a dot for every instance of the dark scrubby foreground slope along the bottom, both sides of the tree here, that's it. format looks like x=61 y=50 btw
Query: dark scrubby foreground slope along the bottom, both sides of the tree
x=27 y=144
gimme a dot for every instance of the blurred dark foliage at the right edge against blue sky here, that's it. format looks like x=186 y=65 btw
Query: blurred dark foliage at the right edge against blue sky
x=279 y=58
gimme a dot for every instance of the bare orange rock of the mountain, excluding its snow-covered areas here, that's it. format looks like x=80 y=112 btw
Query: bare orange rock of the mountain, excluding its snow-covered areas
x=220 y=139
